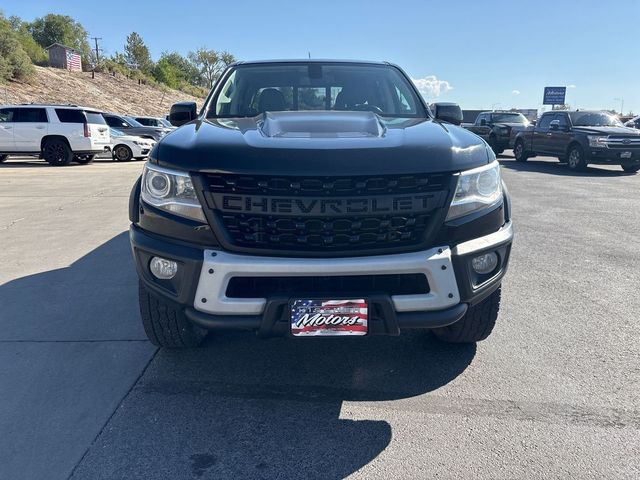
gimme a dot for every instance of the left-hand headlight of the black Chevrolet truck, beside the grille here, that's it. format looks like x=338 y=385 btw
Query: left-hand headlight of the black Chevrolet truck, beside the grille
x=172 y=191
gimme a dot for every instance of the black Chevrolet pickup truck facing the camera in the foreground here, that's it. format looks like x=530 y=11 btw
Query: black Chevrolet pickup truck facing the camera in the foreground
x=318 y=198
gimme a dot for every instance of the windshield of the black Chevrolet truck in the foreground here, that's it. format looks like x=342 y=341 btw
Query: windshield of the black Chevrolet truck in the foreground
x=254 y=89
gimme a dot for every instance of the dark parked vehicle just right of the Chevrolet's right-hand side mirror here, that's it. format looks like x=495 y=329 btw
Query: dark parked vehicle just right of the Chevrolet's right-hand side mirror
x=498 y=128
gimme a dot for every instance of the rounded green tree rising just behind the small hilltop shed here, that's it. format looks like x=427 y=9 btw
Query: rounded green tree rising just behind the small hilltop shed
x=53 y=28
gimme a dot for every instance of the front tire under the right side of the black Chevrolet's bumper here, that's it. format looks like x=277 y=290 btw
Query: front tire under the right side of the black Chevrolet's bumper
x=477 y=323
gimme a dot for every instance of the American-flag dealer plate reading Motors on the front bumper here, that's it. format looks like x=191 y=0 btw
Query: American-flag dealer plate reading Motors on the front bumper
x=317 y=317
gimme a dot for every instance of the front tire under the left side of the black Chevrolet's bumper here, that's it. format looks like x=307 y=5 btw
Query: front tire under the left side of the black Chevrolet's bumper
x=166 y=325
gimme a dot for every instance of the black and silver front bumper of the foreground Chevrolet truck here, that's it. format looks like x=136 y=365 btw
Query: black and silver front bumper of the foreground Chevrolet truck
x=200 y=287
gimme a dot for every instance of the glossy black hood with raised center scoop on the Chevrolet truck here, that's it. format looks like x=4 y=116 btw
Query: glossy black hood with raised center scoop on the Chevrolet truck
x=321 y=143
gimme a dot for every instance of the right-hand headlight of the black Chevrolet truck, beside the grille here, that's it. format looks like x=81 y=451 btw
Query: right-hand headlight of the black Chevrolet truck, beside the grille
x=477 y=189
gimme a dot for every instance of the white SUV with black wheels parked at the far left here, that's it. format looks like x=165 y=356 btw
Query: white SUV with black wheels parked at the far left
x=59 y=134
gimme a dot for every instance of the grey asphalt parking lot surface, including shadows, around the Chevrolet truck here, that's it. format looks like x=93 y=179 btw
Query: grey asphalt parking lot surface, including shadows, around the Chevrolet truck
x=553 y=393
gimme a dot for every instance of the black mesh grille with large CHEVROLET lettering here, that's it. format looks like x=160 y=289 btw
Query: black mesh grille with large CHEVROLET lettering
x=356 y=224
